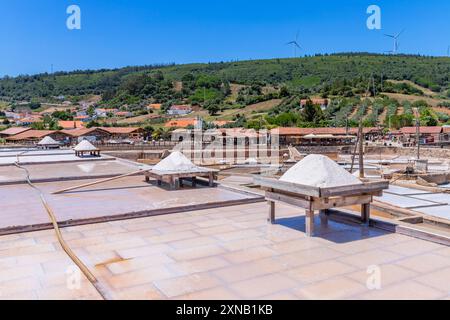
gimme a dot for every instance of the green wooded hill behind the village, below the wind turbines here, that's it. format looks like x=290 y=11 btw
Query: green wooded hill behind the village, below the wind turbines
x=350 y=80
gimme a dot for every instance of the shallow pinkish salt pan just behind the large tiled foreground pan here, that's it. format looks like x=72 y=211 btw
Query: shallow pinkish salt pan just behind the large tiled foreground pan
x=21 y=205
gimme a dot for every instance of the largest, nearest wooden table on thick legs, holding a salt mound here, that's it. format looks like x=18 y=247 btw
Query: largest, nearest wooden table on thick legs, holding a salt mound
x=314 y=199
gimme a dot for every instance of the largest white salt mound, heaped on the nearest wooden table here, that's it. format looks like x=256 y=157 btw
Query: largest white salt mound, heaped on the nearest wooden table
x=319 y=171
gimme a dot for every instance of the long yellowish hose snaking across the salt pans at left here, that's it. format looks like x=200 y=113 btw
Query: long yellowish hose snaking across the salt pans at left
x=89 y=275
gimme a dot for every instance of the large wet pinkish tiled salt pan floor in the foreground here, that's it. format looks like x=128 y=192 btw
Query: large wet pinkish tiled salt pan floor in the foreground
x=228 y=254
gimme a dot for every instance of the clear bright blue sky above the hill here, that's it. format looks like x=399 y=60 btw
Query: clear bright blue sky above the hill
x=117 y=33
